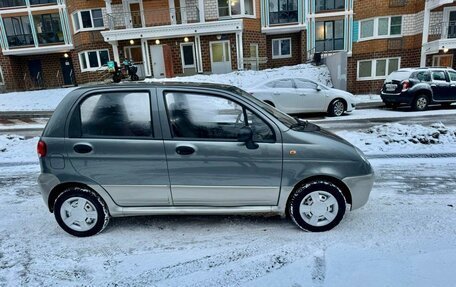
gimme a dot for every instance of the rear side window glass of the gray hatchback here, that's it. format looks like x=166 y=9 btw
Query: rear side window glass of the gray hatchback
x=118 y=114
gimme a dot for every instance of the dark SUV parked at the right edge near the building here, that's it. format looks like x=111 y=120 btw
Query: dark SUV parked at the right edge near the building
x=420 y=87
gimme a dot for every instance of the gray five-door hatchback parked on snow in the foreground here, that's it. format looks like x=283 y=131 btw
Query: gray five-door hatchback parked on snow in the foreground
x=187 y=148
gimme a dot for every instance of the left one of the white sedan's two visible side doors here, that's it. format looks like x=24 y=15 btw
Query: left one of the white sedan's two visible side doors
x=285 y=95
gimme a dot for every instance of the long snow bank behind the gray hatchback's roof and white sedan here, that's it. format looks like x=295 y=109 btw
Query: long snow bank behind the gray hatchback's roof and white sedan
x=247 y=79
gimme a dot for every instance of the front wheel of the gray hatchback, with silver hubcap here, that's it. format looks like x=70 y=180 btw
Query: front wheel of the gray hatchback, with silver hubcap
x=317 y=206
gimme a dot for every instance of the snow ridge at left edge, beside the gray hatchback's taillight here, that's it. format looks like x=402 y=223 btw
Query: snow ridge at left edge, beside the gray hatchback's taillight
x=17 y=149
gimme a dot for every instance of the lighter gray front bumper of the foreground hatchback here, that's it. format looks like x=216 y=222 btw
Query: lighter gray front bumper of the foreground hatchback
x=360 y=188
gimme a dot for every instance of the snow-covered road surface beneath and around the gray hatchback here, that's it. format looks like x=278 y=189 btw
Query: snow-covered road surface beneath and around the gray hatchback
x=404 y=236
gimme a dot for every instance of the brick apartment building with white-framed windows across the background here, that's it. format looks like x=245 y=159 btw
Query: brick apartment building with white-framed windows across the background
x=52 y=43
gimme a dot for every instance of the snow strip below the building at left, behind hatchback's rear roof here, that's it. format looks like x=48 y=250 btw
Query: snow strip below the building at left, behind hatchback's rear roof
x=44 y=100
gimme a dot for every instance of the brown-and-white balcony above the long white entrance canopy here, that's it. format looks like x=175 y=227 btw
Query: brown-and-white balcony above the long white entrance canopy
x=153 y=18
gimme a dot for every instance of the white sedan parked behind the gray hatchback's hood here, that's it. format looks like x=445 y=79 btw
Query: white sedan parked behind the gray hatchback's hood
x=299 y=95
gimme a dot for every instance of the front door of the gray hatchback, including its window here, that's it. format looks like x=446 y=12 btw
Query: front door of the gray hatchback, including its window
x=207 y=165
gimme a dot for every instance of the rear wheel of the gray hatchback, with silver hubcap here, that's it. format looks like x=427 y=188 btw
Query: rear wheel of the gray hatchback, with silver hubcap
x=81 y=212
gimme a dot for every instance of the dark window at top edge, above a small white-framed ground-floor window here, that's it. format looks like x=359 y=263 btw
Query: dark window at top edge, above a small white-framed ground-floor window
x=283 y=11
